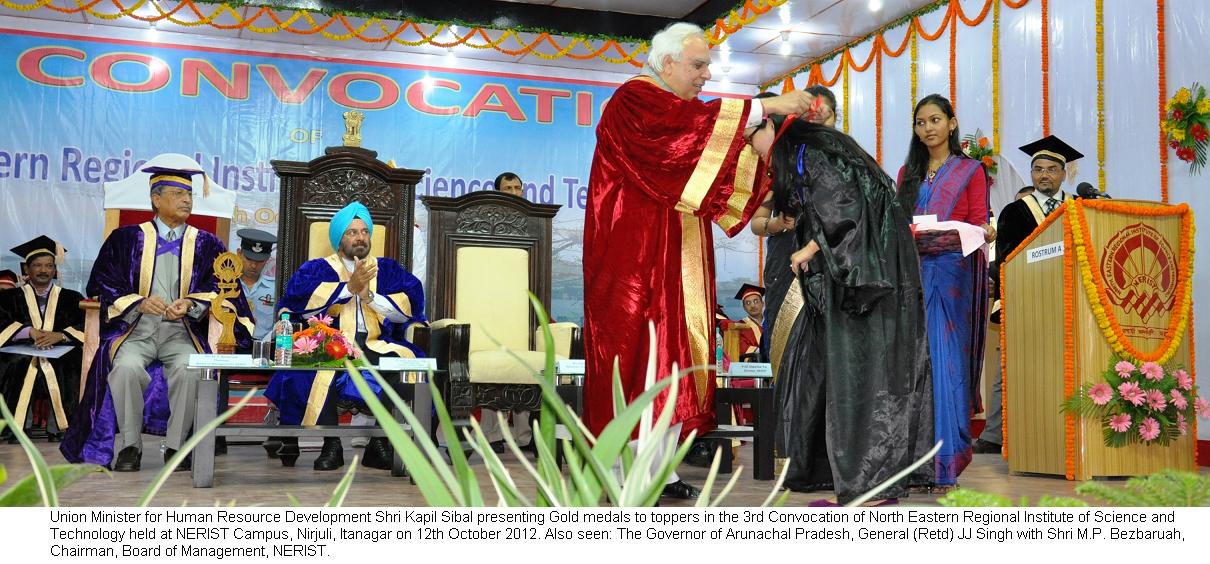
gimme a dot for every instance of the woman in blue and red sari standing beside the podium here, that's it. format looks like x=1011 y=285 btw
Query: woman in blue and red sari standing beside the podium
x=940 y=180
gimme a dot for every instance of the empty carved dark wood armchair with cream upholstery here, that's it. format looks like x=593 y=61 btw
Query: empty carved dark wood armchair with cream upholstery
x=487 y=252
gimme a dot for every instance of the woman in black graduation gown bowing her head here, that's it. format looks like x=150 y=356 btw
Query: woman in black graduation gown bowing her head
x=857 y=392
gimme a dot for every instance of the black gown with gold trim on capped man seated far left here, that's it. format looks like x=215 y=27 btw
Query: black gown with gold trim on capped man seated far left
x=20 y=309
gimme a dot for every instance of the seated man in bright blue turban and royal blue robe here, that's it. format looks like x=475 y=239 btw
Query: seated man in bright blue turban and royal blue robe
x=372 y=301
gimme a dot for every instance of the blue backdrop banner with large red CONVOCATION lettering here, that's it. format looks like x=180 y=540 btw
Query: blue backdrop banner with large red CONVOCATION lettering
x=84 y=110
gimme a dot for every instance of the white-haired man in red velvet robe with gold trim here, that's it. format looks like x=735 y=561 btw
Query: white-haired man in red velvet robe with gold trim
x=667 y=165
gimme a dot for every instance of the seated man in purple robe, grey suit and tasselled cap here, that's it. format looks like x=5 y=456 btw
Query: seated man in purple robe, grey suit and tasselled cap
x=155 y=283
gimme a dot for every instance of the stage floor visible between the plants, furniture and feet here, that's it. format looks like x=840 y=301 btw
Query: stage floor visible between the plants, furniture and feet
x=246 y=477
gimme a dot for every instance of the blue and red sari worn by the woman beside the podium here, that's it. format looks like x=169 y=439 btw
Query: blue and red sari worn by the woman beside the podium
x=955 y=308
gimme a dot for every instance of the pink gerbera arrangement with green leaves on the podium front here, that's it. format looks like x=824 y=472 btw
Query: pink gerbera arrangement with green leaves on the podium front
x=1149 y=405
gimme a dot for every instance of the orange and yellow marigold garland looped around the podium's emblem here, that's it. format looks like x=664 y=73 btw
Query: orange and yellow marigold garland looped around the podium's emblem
x=1094 y=286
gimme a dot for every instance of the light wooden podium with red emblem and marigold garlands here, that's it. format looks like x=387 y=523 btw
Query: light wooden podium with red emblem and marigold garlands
x=1130 y=258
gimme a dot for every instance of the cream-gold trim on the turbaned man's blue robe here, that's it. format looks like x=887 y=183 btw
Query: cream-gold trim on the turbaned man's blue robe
x=348 y=316
